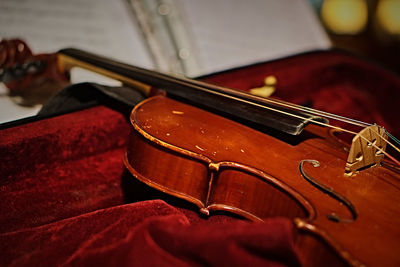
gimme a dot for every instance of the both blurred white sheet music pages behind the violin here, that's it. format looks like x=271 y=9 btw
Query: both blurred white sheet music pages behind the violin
x=223 y=33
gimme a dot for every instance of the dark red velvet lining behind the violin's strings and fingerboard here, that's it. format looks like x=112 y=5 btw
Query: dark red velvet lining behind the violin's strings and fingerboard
x=332 y=82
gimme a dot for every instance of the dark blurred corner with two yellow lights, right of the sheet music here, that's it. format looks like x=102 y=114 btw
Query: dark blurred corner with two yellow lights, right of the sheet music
x=370 y=28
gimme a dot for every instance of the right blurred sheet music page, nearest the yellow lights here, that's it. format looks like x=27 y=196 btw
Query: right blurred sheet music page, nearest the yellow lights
x=232 y=33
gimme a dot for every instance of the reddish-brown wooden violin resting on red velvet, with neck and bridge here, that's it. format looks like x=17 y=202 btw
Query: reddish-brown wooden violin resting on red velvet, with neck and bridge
x=226 y=150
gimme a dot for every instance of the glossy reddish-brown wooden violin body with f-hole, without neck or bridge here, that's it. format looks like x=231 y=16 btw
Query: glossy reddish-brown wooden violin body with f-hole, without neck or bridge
x=219 y=164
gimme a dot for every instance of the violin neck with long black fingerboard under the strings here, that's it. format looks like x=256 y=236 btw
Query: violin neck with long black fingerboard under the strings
x=228 y=102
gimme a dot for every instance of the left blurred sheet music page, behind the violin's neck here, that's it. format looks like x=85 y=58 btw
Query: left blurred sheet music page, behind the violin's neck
x=101 y=26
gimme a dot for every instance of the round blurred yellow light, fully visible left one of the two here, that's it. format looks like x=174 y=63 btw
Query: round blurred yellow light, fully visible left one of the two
x=345 y=16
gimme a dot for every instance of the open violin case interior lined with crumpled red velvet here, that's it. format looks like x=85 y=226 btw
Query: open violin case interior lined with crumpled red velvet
x=67 y=199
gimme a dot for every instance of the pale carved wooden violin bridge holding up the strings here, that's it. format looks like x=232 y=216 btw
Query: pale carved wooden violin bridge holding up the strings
x=367 y=149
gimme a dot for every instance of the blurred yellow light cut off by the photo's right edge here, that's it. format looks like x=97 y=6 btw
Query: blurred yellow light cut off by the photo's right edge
x=388 y=16
